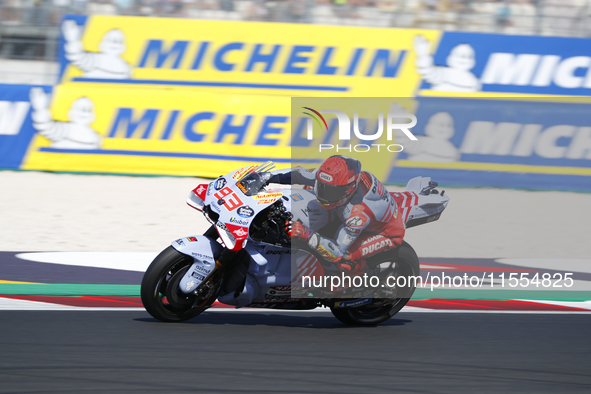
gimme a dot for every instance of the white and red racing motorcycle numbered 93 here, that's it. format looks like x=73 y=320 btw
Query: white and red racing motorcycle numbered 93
x=246 y=258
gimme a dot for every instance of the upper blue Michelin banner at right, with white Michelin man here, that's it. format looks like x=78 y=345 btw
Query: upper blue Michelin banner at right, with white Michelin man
x=494 y=63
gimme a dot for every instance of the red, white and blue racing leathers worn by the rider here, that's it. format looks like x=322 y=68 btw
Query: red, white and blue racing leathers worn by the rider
x=370 y=222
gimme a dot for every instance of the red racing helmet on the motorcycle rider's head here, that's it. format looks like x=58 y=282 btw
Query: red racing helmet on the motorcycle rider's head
x=336 y=181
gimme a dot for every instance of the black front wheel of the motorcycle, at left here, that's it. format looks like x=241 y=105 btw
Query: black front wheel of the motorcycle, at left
x=160 y=290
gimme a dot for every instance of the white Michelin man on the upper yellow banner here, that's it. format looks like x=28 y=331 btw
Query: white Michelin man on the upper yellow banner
x=107 y=63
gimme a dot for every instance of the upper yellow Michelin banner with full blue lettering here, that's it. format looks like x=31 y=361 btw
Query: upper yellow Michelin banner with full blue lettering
x=239 y=57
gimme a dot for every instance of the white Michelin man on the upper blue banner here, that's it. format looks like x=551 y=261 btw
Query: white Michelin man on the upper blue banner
x=456 y=77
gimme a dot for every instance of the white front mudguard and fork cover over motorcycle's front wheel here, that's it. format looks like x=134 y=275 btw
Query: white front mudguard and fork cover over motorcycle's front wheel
x=203 y=250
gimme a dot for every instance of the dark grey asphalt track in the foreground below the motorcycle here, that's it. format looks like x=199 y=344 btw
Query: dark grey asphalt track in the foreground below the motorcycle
x=293 y=352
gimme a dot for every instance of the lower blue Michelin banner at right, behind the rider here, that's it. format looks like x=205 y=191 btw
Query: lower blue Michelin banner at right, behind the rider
x=498 y=143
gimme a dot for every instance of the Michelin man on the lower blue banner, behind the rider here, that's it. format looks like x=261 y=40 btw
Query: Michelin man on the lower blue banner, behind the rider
x=435 y=146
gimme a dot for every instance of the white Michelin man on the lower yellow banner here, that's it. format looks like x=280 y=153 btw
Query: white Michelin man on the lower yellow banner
x=75 y=134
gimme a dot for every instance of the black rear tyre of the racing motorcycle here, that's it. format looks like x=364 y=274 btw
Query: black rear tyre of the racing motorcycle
x=406 y=264
